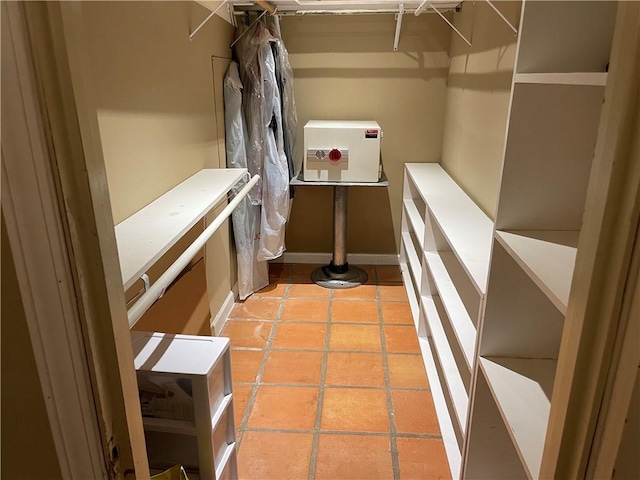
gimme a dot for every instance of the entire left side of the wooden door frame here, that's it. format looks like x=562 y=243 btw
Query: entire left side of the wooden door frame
x=60 y=228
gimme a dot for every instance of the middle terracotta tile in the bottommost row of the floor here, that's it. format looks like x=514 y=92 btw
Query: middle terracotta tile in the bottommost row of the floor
x=353 y=457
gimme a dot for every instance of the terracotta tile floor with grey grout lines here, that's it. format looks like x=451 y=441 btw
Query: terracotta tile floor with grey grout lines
x=330 y=384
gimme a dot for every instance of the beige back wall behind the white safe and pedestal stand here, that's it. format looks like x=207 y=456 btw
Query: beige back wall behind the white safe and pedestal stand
x=345 y=69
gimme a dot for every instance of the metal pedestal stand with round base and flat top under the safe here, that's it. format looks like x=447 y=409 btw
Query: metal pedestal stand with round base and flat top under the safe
x=339 y=274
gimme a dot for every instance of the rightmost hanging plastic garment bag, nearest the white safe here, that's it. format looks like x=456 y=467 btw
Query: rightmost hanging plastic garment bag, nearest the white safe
x=284 y=75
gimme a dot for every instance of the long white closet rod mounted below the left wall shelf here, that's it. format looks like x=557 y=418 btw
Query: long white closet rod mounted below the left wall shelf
x=158 y=288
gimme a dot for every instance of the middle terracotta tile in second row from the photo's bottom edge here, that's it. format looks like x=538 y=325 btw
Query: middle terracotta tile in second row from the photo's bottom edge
x=355 y=410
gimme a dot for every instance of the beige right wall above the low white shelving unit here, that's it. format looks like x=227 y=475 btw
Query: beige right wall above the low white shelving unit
x=478 y=90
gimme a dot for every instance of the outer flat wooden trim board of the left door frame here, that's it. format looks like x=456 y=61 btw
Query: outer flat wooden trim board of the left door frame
x=35 y=230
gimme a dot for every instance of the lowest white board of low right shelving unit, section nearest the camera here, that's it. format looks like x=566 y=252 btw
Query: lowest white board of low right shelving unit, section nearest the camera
x=444 y=419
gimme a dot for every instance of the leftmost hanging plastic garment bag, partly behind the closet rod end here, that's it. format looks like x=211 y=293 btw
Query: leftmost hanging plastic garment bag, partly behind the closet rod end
x=252 y=274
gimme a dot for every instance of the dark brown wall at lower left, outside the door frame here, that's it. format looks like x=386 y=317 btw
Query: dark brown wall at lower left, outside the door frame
x=28 y=451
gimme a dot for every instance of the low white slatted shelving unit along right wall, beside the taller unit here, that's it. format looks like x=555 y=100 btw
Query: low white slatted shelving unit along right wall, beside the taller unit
x=446 y=242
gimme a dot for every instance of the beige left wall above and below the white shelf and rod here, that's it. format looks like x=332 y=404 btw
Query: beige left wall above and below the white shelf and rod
x=160 y=119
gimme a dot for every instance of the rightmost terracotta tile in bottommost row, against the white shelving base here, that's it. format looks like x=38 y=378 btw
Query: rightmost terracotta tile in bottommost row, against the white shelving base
x=422 y=458
